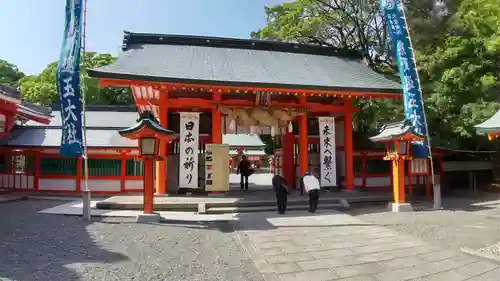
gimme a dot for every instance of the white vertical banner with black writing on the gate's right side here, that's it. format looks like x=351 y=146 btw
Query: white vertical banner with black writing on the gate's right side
x=327 y=151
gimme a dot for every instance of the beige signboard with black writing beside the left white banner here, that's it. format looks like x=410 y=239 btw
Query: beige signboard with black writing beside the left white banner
x=217 y=167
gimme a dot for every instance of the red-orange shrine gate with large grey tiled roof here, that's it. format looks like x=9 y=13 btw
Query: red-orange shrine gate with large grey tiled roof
x=256 y=87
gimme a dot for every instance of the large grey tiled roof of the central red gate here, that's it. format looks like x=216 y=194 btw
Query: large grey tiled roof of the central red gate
x=237 y=62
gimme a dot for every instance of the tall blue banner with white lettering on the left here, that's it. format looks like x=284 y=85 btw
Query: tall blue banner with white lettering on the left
x=68 y=81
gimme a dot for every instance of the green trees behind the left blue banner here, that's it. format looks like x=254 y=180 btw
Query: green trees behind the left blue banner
x=42 y=88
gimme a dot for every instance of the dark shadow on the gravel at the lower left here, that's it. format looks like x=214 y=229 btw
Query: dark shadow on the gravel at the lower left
x=45 y=247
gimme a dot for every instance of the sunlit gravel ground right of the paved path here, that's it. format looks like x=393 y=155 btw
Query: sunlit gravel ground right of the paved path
x=453 y=229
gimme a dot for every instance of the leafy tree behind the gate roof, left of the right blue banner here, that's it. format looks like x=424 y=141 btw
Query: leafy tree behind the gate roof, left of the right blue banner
x=352 y=25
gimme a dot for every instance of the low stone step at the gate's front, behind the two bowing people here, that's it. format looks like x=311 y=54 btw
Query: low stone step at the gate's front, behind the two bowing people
x=304 y=207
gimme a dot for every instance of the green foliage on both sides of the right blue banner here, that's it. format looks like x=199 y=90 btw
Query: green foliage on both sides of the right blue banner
x=457 y=44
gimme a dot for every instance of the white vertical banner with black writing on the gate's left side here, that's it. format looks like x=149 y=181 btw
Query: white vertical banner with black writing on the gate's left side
x=188 y=146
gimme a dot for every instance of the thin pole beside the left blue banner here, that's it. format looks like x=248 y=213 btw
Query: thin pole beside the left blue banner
x=86 y=195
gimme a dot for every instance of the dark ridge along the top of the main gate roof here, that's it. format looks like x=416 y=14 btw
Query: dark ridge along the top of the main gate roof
x=132 y=38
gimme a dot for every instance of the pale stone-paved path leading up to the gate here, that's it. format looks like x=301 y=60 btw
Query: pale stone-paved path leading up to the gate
x=336 y=246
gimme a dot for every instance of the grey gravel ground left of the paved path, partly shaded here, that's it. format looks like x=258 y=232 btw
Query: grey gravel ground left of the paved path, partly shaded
x=50 y=247
